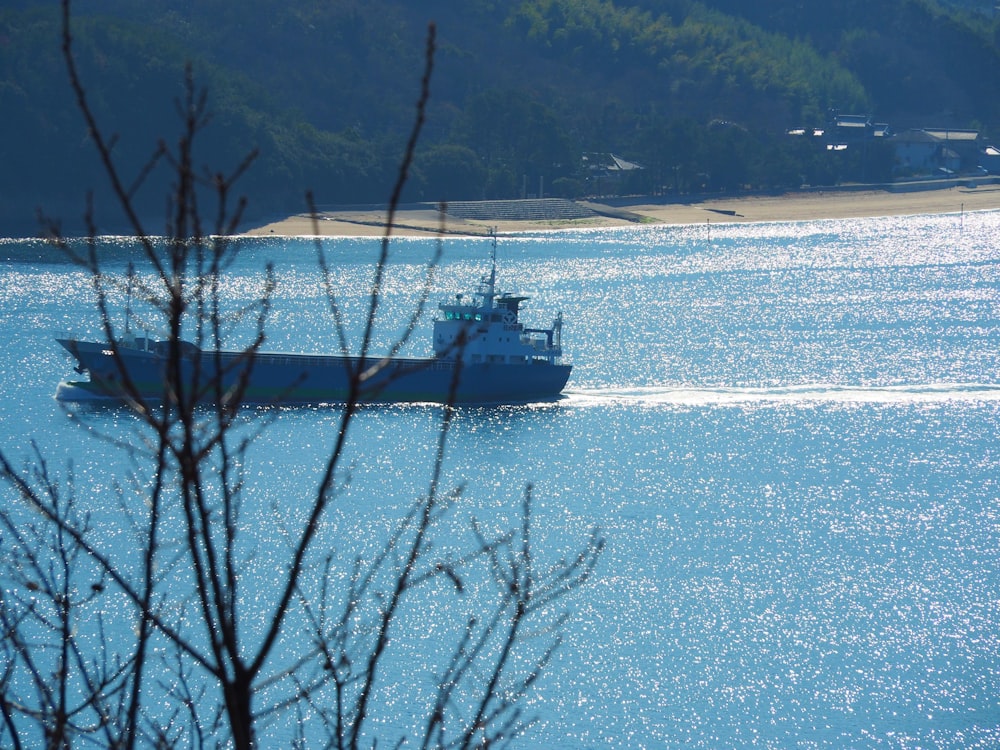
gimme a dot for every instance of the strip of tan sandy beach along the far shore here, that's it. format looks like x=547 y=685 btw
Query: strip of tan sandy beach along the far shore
x=796 y=206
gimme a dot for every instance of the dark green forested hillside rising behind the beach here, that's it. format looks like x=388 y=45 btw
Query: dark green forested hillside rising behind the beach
x=700 y=93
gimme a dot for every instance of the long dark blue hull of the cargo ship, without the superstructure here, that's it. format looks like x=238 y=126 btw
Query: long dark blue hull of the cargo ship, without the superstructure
x=271 y=378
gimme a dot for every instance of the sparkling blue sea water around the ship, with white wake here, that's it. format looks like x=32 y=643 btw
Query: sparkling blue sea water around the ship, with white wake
x=787 y=432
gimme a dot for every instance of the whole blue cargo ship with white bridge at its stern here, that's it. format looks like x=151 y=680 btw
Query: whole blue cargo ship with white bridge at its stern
x=483 y=354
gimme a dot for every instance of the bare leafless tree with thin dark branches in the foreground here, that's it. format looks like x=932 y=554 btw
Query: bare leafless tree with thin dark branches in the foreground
x=167 y=640
